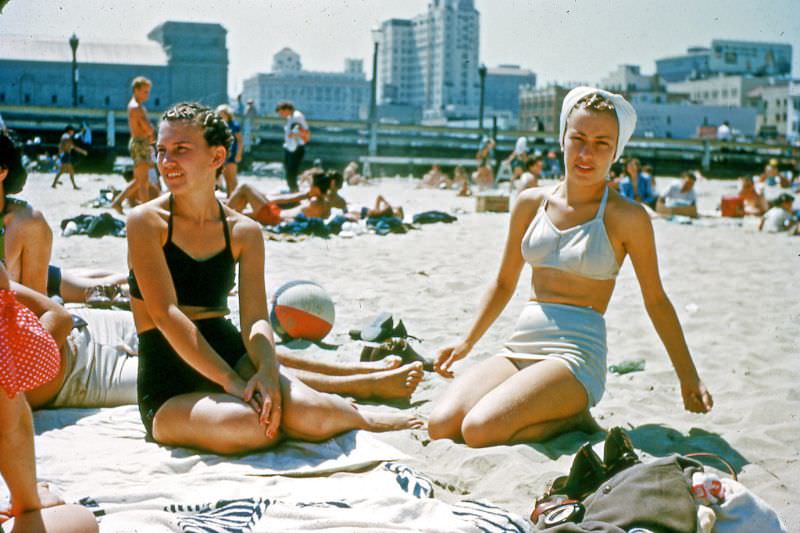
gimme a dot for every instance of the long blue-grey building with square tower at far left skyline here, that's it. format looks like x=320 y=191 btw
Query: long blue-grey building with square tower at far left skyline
x=184 y=60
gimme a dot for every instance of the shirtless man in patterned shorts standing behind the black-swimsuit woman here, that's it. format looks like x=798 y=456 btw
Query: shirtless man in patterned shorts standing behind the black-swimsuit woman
x=139 y=145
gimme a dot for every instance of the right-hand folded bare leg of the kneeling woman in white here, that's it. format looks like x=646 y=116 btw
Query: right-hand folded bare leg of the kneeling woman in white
x=534 y=404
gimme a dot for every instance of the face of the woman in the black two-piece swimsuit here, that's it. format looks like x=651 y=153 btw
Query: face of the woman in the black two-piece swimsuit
x=185 y=160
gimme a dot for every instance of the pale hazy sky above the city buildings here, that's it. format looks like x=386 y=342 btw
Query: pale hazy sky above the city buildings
x=560 y=40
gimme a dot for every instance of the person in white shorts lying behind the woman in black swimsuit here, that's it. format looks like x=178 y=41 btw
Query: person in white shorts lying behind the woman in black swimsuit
x=99 y=364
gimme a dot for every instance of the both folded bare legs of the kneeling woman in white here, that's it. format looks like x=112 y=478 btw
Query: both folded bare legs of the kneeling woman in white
x=495 y=403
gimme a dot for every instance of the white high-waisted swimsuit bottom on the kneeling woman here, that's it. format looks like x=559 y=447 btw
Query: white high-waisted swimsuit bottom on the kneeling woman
x=576 y=336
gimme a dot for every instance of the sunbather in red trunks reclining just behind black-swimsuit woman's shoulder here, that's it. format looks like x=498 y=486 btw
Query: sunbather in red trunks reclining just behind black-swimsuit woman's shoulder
x=272 y=210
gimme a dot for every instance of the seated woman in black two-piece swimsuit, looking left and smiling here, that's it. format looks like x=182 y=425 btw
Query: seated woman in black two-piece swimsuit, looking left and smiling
x=226 y=391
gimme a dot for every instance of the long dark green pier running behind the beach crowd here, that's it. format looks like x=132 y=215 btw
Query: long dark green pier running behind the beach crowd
x=337 y=143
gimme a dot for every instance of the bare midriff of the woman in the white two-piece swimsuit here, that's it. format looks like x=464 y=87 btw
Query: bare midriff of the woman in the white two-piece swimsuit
x=550 y=285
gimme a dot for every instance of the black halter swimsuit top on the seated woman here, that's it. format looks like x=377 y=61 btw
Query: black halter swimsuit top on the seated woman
x=201 y=283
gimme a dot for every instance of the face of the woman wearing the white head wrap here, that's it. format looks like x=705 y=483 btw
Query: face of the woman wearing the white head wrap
x=589 y=144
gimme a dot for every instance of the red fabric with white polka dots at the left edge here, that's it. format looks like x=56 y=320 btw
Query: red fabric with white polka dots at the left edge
x=29 y=356
